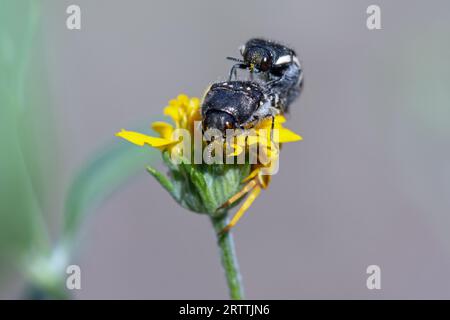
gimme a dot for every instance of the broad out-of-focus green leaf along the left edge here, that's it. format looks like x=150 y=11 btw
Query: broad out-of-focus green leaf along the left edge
x=22 y=187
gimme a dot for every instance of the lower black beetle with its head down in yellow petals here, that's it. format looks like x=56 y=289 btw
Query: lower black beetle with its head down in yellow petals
x=236 y=105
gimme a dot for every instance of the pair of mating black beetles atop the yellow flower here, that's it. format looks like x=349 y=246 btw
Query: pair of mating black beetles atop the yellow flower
x=238 y=104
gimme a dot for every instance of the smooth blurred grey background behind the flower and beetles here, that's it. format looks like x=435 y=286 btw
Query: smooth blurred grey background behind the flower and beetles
x=369 y=184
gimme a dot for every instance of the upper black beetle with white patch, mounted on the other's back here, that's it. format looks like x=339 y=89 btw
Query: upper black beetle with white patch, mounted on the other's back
x=278 y=66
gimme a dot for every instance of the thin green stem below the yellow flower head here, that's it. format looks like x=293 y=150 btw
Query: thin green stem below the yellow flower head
x=228 y=258
